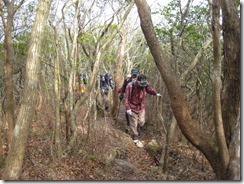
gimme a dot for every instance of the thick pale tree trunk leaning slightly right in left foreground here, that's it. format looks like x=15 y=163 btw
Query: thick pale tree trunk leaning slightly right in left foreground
x=25 y=116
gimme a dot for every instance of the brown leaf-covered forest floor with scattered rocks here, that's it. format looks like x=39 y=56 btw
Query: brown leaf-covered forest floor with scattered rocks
x=104 y=151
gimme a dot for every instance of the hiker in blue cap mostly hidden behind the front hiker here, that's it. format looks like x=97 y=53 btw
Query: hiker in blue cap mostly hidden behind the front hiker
x=134 y=74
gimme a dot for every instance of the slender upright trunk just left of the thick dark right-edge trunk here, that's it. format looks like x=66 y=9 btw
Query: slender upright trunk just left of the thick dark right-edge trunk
x=220 y=136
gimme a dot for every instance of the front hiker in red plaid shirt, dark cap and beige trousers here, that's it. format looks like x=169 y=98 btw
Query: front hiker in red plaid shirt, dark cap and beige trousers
x=135 y=99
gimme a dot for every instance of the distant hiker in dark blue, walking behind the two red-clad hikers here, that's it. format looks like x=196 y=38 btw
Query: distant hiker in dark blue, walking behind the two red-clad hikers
x=106 y=83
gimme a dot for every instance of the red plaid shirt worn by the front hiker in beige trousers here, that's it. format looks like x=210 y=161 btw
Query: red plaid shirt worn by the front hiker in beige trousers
x=136 y=101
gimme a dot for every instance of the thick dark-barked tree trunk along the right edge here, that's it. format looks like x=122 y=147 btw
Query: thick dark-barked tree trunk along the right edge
x=231 y=66
